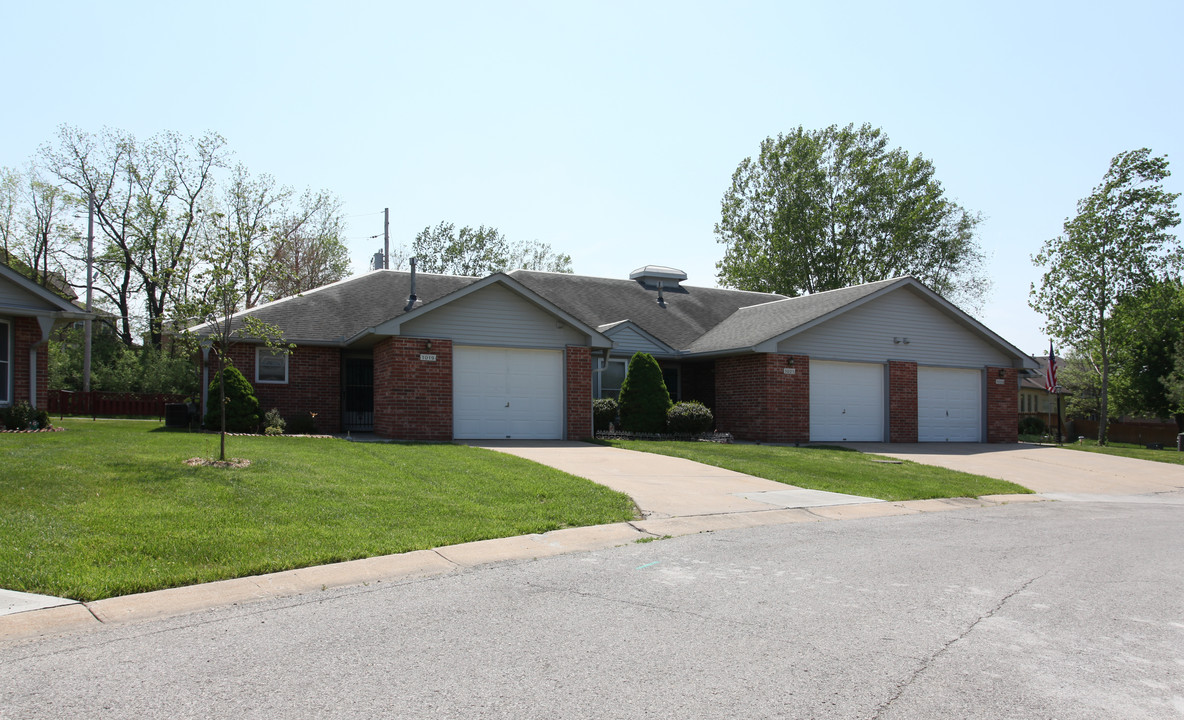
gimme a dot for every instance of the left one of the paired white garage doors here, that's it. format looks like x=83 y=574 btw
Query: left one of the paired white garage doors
x=847 y=402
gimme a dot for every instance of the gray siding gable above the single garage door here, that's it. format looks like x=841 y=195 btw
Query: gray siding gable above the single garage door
x=494 y=317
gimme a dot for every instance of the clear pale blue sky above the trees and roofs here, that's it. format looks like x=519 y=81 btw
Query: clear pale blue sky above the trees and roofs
x=612 y=130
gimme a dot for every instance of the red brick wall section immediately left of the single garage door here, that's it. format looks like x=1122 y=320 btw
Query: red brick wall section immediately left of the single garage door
x=414 y=397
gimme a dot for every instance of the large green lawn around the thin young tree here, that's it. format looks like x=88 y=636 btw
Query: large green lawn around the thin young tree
x=110 y=507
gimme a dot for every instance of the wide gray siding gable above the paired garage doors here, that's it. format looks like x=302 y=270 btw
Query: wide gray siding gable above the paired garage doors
x=866 y=335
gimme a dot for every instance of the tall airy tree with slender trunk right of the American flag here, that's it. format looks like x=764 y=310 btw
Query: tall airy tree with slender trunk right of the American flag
x=1118 y=246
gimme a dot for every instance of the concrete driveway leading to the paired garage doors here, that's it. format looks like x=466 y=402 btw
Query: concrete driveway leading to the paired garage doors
x=1057 y=473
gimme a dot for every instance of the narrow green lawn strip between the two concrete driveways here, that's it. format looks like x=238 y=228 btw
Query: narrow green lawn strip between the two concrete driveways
x=834 y=470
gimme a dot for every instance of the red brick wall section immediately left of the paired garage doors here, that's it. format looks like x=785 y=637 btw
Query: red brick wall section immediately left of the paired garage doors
x=756 y=400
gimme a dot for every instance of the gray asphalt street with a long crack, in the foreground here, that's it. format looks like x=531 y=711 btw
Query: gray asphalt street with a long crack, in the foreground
x=1064 y=610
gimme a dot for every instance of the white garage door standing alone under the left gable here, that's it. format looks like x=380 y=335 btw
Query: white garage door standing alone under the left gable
x=501 y=394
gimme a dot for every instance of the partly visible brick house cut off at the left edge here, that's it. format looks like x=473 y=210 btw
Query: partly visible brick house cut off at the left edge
x=28 y=314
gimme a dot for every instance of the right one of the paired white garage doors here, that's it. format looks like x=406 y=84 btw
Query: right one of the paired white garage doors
x=949 y=406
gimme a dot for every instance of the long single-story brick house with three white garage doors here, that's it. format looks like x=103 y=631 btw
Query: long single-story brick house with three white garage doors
x=523 y=355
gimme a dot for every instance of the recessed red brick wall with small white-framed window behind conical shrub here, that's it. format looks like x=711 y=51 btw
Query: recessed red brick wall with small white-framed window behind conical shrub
x=314 y=384
